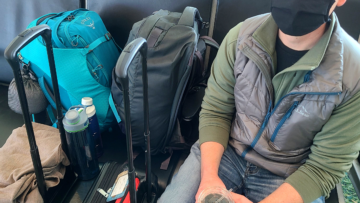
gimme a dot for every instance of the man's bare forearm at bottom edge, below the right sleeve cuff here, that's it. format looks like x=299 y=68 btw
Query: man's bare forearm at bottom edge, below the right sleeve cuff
x=284 y=194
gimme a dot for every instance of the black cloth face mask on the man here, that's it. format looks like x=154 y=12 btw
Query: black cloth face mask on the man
x=300 y=17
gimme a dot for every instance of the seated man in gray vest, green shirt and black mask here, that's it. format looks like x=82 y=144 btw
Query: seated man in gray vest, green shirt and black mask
x=280 y=117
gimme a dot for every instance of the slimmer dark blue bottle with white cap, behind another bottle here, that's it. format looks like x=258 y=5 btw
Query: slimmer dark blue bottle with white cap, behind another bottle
x=93 y=125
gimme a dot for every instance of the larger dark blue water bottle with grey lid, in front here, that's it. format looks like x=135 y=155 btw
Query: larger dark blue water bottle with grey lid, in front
x=80 y=143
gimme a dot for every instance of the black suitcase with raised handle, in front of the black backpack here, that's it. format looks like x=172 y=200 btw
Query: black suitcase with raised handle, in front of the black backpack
x=147 y=190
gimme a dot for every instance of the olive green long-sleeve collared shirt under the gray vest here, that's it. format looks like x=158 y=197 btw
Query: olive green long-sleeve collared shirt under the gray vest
x=334 y=147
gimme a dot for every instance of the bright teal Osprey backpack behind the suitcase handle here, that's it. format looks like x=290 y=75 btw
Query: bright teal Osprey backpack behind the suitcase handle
x=85 y=54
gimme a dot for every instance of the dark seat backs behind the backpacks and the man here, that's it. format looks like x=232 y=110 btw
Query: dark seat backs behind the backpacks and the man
x=120 y=15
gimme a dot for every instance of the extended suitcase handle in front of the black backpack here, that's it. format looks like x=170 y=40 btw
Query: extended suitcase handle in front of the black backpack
x=121 y=71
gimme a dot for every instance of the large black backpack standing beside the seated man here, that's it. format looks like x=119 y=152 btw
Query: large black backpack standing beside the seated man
x=176 y=79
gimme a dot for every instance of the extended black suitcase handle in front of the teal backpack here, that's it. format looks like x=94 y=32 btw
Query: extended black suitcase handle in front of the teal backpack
x=10 y=54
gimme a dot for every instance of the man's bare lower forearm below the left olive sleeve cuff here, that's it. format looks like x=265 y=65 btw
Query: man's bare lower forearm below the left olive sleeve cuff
x=211 y=153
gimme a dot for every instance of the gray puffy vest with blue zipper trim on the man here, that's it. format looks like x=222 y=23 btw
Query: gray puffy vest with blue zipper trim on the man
x=278 y=137
